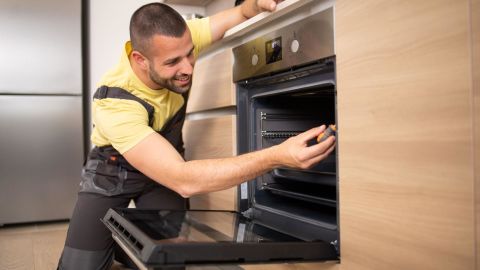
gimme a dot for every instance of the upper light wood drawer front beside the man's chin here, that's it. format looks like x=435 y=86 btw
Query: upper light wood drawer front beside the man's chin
x=212 y=83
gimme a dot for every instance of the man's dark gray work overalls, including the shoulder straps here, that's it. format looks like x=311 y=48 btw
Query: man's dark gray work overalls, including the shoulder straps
x=108 y=181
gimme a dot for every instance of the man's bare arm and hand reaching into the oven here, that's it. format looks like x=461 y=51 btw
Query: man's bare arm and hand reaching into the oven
x=155 y=157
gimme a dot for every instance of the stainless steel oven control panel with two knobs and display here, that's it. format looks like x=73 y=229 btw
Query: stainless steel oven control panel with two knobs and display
x=302 y=42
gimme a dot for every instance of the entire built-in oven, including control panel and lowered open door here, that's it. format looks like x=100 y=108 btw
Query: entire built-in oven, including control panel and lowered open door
x=285 y=83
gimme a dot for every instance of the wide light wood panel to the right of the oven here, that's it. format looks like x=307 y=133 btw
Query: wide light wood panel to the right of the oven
x=405 y=134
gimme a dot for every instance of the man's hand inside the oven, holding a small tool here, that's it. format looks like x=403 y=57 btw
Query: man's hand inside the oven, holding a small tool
x=295 y=153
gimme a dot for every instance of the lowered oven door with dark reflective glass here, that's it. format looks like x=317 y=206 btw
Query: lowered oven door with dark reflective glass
x=160 y=238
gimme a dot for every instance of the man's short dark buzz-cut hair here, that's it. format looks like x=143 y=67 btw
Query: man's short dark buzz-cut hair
x=154 y=19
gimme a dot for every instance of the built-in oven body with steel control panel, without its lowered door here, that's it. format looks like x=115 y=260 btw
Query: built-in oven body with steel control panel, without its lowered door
x=286 y=85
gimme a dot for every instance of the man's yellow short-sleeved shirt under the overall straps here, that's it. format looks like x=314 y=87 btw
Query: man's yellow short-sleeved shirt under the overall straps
x=124 y=123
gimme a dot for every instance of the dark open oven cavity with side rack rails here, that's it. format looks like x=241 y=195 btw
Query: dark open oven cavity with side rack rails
x=305 y=194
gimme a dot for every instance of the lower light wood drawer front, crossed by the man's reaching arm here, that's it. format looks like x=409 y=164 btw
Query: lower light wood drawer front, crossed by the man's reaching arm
x=212 y=138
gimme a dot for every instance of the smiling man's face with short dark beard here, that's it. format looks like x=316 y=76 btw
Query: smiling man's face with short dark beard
x=171 y=62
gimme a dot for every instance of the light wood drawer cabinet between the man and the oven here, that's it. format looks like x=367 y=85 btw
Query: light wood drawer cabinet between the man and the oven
x=207 y=134
